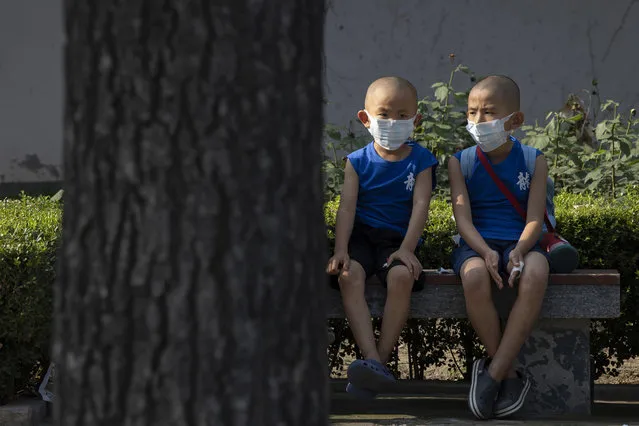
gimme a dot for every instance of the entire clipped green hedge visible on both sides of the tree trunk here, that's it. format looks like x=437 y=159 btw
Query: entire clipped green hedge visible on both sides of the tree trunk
x=606 y=233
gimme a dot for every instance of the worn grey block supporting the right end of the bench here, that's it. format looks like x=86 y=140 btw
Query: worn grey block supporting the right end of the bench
x=557 y=359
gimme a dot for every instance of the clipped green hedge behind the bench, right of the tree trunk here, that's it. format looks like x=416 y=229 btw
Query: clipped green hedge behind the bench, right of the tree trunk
x=605 y=232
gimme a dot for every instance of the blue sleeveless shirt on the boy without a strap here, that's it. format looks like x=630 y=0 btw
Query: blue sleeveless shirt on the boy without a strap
x=385 y=197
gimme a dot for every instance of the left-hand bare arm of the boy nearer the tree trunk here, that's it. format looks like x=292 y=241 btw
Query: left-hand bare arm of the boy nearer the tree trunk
x=346 y=210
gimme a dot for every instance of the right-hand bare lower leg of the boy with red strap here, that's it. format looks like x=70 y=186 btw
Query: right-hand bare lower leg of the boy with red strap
x=524 y=314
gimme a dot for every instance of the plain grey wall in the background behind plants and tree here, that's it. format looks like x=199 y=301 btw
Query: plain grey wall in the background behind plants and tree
x=551 y=47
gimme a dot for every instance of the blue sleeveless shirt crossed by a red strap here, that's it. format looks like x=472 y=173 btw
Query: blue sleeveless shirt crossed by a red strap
x=493 y=215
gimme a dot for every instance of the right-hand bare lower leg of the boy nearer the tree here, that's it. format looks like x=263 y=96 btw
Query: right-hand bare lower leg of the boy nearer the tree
x=399 y=284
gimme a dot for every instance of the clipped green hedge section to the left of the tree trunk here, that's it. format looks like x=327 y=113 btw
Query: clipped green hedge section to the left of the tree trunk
x=29 y=235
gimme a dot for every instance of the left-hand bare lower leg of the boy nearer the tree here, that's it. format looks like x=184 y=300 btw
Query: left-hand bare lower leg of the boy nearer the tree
x=352 y=284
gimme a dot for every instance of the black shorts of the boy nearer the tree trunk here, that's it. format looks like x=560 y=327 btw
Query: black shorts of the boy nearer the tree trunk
x=371 y=247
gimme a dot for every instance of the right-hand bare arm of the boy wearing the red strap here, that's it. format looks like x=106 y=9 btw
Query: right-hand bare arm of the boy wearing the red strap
x=536 y=207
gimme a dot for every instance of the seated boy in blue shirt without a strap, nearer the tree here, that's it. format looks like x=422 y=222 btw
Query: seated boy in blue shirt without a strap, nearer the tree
x=382 y=212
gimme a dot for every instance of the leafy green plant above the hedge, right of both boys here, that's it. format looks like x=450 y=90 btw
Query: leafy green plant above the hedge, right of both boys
x=587 y=151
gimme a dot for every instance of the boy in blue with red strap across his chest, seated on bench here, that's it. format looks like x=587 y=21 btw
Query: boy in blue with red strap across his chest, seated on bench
x=496 y=240
